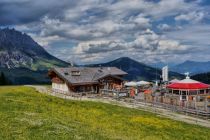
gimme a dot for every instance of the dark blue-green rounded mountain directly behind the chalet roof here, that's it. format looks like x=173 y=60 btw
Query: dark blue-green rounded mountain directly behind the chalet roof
x=137 y=70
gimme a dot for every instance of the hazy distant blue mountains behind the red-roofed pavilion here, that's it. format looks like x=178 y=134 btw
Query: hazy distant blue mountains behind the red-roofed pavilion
x=192 y=67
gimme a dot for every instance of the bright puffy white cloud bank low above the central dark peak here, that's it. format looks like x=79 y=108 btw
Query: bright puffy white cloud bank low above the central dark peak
x=147 y=47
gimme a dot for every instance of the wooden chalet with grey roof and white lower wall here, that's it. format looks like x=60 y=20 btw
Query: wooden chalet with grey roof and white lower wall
x=86 y=79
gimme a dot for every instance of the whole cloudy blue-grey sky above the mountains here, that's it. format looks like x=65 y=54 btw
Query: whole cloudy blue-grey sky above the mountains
x=92 y=31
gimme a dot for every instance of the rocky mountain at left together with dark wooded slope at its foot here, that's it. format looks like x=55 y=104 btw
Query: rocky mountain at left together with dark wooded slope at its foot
x=22 y=60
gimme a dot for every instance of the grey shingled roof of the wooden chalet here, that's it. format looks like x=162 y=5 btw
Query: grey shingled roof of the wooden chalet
x=87 y=74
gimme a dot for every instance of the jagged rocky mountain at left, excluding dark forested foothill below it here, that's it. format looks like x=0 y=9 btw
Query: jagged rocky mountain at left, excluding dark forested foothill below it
x=18 y=50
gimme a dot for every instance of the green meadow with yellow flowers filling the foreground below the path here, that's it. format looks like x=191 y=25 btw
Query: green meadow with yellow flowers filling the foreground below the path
x=27 y=114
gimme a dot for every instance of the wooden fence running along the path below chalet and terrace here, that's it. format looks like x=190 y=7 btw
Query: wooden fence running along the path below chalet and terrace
x=140 y=102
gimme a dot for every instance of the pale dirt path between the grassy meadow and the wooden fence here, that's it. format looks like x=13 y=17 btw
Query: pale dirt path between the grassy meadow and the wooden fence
x=139 y=105
